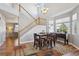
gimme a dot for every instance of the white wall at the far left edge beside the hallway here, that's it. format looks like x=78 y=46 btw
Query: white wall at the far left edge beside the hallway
x=2 y=29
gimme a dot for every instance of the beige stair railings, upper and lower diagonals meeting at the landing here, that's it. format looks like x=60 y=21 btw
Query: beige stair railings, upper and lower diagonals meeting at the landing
x=35 y=22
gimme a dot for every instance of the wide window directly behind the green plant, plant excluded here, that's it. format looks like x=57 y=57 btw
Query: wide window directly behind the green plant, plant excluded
x=65 y=21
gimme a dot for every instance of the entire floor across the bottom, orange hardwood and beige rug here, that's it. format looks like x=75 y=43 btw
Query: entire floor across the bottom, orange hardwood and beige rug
x=29 y=50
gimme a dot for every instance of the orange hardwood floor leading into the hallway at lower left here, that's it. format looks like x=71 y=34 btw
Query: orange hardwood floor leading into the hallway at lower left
x=8 y=47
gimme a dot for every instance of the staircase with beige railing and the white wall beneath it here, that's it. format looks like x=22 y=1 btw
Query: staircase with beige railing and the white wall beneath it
x=37 y=25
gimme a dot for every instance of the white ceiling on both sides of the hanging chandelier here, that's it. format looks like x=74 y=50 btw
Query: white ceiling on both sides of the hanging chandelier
x=53 y=8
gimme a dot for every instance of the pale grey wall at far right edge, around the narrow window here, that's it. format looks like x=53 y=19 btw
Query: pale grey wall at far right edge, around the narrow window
x=75 y=37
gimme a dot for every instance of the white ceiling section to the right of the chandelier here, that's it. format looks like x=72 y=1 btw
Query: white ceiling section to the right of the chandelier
x=56 y=8
